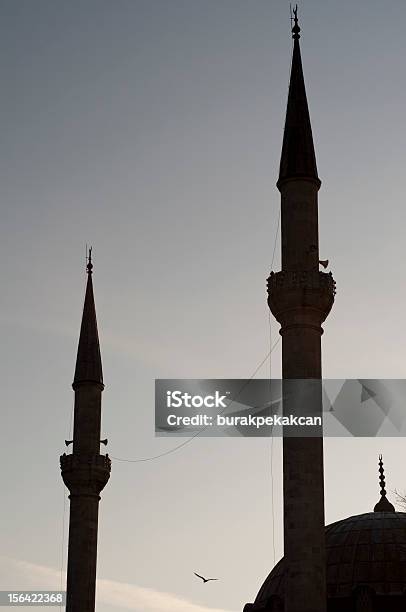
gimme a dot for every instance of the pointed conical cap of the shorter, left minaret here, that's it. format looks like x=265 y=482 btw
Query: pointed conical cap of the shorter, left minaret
x=88 y=360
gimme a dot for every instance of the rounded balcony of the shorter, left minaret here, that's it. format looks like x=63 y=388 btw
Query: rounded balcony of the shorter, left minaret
x=85 y=474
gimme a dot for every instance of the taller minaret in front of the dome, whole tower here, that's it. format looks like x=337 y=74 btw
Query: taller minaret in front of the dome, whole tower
x=300 y=297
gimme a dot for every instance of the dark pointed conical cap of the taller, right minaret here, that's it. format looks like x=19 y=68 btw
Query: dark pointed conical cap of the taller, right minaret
x=298 y=159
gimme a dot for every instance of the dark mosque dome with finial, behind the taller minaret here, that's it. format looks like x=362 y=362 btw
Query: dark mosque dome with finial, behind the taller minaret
x=365 y=564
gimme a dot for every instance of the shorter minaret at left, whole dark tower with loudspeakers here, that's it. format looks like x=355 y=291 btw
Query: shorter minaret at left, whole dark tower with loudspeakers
x=85 y=472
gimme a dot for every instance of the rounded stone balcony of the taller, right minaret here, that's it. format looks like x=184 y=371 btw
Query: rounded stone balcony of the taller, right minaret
x=301 y=297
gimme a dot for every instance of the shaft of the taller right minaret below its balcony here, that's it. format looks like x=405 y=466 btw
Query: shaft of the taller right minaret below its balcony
x=303 y=485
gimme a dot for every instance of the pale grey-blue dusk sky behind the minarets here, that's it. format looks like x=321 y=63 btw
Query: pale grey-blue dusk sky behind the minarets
x=152 y=130
